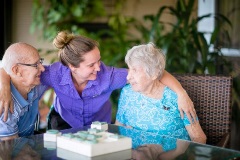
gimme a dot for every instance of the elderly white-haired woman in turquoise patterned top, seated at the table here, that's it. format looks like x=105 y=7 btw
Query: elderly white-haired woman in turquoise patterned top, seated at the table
x=147 y=104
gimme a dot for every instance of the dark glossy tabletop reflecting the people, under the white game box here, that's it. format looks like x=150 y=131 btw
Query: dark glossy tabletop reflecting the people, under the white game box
x=146 y=146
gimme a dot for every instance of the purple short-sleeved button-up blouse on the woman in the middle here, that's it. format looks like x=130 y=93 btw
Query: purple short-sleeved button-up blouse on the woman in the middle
x=93 y=104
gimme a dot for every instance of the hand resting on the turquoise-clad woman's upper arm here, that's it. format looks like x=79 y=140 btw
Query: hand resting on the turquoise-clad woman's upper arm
x=185 y=105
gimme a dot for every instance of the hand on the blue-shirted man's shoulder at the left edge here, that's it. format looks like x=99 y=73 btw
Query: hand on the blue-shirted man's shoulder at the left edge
x=5 y=103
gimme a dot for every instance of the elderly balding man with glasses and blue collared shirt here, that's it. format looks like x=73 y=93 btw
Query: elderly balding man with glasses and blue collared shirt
x=24 y=66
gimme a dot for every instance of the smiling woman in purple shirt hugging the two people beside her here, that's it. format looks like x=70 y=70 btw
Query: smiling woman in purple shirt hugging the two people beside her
x=83 y=84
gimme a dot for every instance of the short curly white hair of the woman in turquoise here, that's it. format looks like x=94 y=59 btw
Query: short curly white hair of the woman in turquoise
x=151 y=58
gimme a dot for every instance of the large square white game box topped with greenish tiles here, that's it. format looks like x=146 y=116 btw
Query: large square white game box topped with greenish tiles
x=93 y=142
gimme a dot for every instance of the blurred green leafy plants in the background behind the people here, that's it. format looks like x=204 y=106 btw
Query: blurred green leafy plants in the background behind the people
x=186 y=48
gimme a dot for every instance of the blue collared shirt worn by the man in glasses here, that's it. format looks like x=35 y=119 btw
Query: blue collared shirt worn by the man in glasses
x=23 y=119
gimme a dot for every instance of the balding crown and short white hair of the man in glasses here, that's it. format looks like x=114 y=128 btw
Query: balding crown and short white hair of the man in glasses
x=16 y=53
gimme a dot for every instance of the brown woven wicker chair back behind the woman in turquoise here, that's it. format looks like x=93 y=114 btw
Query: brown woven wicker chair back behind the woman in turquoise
x=211 y=96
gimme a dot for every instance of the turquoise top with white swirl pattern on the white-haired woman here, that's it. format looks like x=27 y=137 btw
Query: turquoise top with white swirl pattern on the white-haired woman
x=154 y=115
